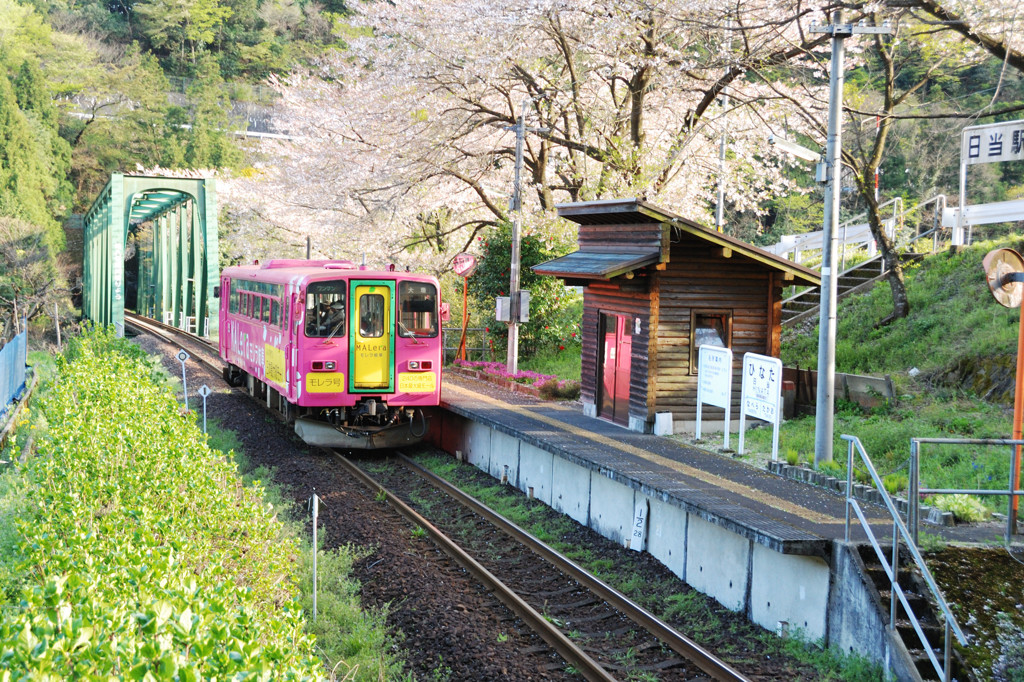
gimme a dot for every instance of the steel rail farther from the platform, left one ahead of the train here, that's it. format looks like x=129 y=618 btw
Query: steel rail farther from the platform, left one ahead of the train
x=573 y=655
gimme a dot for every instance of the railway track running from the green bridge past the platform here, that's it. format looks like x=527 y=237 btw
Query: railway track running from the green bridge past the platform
x=600 y=633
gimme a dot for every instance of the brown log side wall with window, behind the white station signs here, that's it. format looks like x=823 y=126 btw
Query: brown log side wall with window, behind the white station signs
x=701 y=278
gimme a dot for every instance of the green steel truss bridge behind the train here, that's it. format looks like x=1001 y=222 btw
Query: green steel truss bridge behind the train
x=170 y=224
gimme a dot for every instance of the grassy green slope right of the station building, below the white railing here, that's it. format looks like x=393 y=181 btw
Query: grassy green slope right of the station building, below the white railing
x=953 y=362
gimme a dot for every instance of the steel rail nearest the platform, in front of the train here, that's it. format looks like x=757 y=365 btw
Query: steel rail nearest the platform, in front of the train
x=687 y=648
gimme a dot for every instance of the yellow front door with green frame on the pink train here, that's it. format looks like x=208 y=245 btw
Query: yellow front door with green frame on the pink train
x=372 y=337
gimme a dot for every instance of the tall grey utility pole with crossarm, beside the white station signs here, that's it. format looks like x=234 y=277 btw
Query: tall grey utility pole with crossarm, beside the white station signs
x=831 y=175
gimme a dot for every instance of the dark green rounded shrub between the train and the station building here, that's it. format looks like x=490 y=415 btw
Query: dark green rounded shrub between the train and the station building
x=554 y=310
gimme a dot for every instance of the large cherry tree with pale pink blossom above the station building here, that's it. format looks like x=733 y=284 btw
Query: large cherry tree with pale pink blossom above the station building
x=406 y=137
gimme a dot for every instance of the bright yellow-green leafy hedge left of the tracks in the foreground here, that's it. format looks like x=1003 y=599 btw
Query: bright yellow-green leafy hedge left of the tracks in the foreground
x=145 y=558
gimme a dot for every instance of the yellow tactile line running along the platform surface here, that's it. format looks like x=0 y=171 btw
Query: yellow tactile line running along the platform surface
x=718 y=482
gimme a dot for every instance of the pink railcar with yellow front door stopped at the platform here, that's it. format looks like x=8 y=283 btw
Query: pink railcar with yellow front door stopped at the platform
x=352 y=356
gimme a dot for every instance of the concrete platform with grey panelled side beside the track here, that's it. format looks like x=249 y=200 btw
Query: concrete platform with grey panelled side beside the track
x=758 y=543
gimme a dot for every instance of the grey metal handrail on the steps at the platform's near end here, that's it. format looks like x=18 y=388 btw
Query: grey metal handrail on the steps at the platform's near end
x=892 y=570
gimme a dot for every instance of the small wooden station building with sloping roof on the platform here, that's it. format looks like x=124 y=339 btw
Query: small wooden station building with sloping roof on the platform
x=657 y=287
